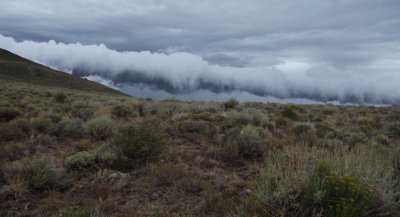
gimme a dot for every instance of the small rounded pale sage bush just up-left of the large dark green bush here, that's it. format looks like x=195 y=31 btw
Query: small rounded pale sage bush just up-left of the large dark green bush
x=100 y=128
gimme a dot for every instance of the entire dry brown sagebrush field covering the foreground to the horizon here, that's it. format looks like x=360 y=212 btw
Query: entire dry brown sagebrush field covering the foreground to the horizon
x=68 y=153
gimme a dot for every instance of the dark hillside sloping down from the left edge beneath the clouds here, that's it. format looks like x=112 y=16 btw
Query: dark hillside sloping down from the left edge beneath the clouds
x=16 y=68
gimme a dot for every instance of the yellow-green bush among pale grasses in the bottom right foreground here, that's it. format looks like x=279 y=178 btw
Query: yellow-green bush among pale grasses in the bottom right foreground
x=332 y=195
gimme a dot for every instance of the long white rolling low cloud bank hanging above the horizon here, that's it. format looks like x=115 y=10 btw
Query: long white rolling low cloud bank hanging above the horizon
x=184 y=73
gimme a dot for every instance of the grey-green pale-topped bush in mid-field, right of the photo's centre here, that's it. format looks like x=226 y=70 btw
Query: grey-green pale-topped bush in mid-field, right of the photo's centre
x=243 y=143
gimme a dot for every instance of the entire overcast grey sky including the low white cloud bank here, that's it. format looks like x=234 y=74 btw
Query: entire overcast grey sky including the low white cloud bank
x=323 y=50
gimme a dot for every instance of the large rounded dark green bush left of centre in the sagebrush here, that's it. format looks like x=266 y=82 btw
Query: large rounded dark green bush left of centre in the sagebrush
x=138 y=145
